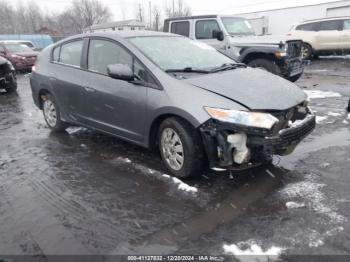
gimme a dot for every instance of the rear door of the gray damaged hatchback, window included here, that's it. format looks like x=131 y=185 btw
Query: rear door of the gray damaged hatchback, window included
x=67 y=78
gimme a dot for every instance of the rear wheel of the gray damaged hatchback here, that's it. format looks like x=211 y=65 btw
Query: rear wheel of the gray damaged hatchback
x=52 y=114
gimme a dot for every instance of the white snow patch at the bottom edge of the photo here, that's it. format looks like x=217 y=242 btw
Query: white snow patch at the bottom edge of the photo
x=252 y=251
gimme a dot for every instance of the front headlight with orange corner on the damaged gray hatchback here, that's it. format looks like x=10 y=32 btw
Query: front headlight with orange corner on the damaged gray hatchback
x=253 y=119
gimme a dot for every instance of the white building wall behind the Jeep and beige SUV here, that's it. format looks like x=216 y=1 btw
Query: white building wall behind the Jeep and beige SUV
x=281 y=20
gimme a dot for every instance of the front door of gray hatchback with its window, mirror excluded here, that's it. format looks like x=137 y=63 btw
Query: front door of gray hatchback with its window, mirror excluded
x=114 y=106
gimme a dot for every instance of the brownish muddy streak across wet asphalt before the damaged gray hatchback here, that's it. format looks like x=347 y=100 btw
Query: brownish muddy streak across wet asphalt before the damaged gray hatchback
x=208 y=221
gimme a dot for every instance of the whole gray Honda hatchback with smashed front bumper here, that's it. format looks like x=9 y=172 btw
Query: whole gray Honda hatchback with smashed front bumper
x=200 y=107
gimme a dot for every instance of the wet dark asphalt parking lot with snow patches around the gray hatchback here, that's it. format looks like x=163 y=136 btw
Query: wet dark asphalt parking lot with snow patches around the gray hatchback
x=86 y=193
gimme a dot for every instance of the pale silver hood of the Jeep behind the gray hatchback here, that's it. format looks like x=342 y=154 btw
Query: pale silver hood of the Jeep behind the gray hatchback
x=262 y=40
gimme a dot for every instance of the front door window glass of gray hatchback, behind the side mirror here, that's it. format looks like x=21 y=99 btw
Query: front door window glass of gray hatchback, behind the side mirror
x=103 y=53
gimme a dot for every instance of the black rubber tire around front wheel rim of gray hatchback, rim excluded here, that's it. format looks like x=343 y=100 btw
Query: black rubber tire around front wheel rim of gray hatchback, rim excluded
x=193 y=153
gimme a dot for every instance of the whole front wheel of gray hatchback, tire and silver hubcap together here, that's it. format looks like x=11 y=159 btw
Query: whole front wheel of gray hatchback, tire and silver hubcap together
x=181 y=148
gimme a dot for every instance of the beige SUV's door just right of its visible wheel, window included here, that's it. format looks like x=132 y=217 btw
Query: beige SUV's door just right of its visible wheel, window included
x=328 y=35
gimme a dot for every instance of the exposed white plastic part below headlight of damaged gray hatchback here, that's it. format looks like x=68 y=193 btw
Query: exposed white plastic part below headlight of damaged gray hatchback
x=241 y=153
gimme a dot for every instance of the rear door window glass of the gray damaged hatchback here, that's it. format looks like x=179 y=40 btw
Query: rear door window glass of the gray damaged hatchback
x=71 y=53
